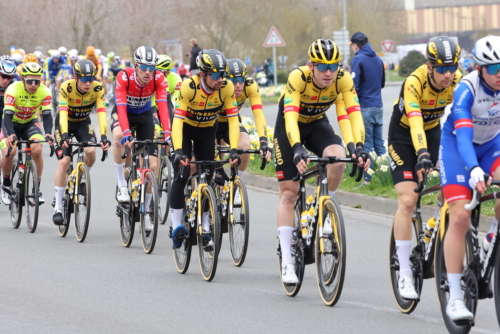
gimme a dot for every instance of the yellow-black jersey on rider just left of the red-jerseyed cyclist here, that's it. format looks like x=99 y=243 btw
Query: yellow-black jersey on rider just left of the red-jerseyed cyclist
x=75 y=106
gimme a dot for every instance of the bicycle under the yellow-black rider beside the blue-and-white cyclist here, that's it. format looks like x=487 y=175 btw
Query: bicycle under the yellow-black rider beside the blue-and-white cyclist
x=422 y=254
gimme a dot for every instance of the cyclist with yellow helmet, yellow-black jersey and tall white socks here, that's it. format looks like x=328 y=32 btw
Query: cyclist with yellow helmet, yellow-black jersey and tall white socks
x=308 y=94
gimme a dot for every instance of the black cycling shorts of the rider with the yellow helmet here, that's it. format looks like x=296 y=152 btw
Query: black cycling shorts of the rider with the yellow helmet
x=315 y=136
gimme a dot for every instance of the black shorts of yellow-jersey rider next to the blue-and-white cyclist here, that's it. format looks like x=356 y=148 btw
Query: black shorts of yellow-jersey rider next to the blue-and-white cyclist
x=402 y=152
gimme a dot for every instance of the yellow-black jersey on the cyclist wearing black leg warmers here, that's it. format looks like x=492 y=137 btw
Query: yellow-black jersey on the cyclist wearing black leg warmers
x=198 y=108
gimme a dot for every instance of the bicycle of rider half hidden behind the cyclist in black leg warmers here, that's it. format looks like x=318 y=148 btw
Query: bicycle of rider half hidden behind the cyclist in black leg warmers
x=234 y=210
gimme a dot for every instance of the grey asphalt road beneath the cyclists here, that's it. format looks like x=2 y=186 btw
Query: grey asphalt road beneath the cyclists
x=51 y=284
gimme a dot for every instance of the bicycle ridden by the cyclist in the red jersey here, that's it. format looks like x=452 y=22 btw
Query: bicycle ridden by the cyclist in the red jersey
x=139 y=180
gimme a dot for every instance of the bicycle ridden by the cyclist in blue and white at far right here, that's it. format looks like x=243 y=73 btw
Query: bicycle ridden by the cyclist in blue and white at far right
x=476 y=275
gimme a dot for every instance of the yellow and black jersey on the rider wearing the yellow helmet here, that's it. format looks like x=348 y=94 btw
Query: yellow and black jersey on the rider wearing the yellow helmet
x=304 y=102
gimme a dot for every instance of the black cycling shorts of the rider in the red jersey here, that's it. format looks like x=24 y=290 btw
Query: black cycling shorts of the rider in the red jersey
x=141 y=125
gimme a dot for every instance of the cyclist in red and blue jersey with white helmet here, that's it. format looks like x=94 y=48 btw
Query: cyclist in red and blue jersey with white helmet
x=134 y=89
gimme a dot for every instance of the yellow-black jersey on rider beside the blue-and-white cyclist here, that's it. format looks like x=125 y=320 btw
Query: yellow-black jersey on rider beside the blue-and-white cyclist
x=420 y=106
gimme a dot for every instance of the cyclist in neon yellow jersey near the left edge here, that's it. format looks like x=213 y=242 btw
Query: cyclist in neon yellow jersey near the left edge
x=22 y=101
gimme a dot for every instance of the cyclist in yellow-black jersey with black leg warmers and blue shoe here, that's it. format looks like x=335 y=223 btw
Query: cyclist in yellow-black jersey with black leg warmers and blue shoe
x=200 y=102
